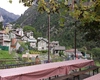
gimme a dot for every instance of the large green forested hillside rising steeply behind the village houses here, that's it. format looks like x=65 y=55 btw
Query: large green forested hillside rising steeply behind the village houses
x=64 y=34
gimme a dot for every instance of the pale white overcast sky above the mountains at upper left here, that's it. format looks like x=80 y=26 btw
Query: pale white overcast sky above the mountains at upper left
x=15 y=7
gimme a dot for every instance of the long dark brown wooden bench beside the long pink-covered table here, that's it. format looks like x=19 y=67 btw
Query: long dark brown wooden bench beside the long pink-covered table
x=75 y=75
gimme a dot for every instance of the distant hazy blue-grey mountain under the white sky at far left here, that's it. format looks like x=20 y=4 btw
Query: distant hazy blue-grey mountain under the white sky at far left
x=8 y=17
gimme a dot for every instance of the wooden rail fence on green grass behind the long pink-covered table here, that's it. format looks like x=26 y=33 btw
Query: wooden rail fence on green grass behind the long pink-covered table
x=13 y=63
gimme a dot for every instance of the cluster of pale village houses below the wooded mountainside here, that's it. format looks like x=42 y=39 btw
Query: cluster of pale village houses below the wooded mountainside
x=10 y=40
